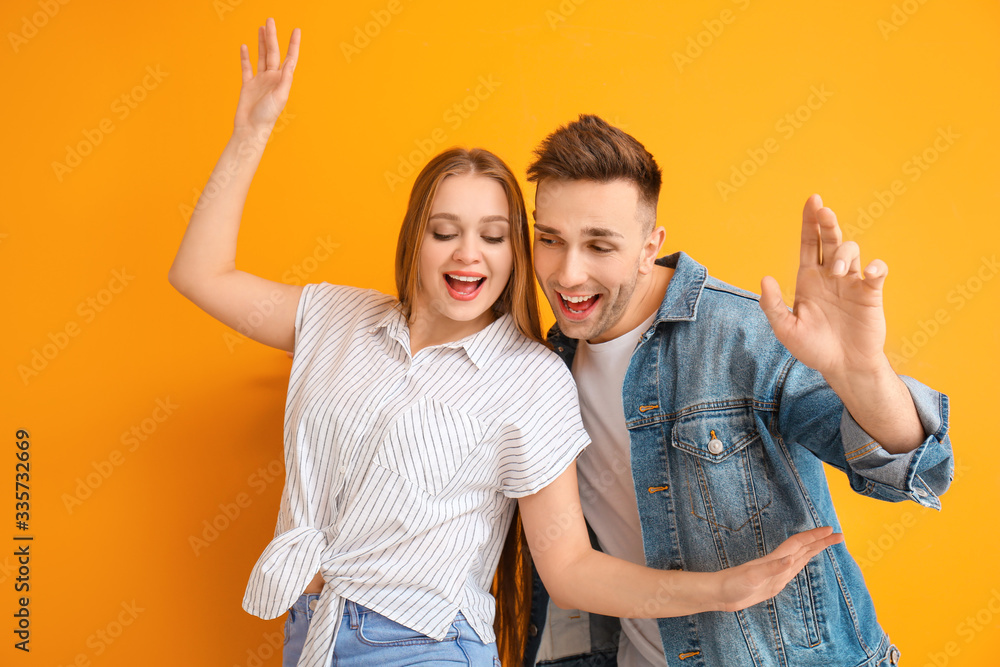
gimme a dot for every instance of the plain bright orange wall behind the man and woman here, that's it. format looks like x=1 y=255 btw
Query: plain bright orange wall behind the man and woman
x=117 y=549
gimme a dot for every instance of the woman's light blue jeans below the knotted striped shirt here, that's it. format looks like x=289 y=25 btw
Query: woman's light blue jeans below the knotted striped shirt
x=368 y=639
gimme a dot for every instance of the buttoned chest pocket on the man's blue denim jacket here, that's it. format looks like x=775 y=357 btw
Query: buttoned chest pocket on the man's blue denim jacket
x=724 y=466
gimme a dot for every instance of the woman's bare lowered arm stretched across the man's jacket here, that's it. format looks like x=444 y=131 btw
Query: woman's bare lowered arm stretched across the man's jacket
x=578 y=577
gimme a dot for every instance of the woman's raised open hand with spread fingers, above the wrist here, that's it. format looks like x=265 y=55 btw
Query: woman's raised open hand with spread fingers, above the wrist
x=263 y=96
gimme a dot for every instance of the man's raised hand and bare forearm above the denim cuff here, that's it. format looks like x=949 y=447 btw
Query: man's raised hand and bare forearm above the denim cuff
x=837 y=327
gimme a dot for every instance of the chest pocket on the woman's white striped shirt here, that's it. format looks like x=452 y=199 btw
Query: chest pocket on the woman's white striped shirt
x=428 y=443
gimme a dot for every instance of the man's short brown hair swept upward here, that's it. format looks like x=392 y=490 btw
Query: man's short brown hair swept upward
x=591 y=149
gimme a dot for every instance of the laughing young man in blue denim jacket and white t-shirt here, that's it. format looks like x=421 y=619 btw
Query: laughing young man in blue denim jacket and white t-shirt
x=712 y=411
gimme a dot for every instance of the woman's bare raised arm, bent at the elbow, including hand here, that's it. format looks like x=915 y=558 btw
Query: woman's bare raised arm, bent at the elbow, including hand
x=205 y=267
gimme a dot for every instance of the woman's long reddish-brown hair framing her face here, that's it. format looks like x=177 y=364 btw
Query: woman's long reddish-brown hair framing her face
x=518 y=297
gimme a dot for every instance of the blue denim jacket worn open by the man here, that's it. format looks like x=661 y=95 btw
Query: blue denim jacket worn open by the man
x=729 y=434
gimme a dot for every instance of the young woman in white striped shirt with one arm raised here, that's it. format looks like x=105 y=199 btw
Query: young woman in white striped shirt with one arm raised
x=411 y=425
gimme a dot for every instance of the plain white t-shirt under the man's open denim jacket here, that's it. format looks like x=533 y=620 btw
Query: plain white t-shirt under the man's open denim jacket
x=607 y=490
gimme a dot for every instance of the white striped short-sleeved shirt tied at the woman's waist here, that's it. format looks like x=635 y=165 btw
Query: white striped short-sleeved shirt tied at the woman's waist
x=400 y=470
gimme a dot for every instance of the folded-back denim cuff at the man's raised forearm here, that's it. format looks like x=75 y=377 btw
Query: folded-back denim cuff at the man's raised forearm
x=922 y=474
